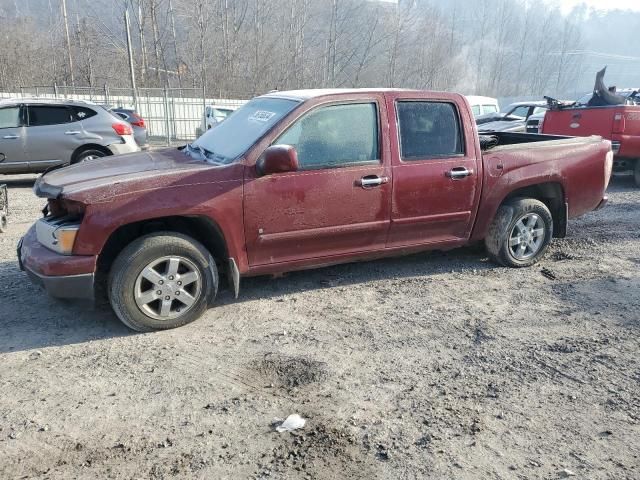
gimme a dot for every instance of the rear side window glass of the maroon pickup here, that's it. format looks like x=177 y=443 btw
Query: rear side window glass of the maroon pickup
x=428 y=129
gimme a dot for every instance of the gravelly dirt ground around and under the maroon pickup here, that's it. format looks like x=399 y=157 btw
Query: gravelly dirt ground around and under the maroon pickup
x=437 y=365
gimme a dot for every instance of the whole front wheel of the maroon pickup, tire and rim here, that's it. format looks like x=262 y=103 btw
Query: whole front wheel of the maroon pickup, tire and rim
x=162 y=280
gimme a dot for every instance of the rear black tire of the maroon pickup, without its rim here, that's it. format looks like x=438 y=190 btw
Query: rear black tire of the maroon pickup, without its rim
x=503 y=226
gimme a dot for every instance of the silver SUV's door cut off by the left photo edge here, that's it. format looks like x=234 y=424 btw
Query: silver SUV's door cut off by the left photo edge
x=12 y=154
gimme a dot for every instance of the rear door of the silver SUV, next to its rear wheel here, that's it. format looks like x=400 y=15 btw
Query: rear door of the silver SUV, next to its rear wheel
x=53 y=134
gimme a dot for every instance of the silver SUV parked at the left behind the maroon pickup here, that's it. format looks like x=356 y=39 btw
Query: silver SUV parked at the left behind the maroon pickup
x=37 y=133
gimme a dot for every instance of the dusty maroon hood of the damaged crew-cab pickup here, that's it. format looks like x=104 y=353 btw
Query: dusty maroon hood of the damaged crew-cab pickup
x=108 y=177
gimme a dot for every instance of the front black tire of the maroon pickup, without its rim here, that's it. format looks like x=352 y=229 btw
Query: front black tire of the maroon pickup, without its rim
x=142 y=252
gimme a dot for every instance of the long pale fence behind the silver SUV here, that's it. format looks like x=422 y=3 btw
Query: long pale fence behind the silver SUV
x=172 y=115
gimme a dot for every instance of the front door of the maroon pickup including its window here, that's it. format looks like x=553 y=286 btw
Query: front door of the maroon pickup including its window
x=338 y=201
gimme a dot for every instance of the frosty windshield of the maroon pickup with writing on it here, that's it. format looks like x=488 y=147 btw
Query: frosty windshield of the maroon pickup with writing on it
x=236 y=134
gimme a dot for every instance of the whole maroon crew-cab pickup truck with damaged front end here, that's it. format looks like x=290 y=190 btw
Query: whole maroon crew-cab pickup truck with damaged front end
x=304 y=179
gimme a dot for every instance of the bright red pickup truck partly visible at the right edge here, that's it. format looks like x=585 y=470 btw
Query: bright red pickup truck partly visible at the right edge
x=619 y=123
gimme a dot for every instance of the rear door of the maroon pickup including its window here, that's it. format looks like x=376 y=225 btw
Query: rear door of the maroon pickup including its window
x=436 y=171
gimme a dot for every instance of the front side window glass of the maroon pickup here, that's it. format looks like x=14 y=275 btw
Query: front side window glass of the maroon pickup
x=335 y=136
